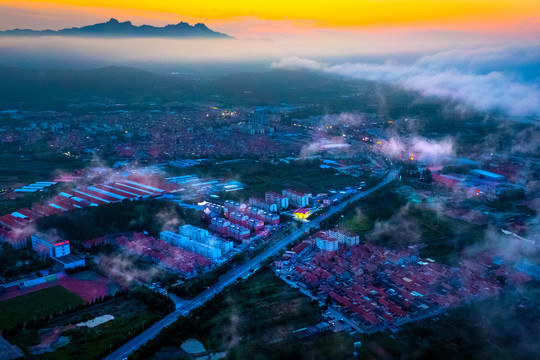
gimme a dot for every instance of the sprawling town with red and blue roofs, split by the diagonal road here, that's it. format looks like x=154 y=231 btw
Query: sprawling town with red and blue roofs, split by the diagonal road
x=167 y=212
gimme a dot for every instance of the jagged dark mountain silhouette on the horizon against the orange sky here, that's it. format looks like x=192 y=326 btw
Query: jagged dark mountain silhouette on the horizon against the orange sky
x=114 y=28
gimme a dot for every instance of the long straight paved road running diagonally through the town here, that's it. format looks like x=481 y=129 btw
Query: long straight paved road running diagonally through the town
x=240 y=271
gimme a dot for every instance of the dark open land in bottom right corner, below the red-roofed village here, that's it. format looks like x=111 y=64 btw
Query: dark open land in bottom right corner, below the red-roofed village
x=504 y=327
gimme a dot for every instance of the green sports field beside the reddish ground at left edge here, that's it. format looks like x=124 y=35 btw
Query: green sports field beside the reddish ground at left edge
x=36 y=305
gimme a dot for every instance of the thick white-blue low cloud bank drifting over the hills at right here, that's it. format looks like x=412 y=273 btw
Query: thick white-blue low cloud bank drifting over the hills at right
x=436 y=75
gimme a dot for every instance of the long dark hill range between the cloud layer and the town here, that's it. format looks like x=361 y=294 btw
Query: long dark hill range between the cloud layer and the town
x=130 y=88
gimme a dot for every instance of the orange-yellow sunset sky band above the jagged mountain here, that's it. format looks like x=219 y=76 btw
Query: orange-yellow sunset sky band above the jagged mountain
x=481 y=15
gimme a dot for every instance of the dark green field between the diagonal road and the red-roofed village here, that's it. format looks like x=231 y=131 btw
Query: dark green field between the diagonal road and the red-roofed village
x=244 y=319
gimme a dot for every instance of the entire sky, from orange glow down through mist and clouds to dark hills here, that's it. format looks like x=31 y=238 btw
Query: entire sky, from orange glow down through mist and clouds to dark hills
x=483 y=54
